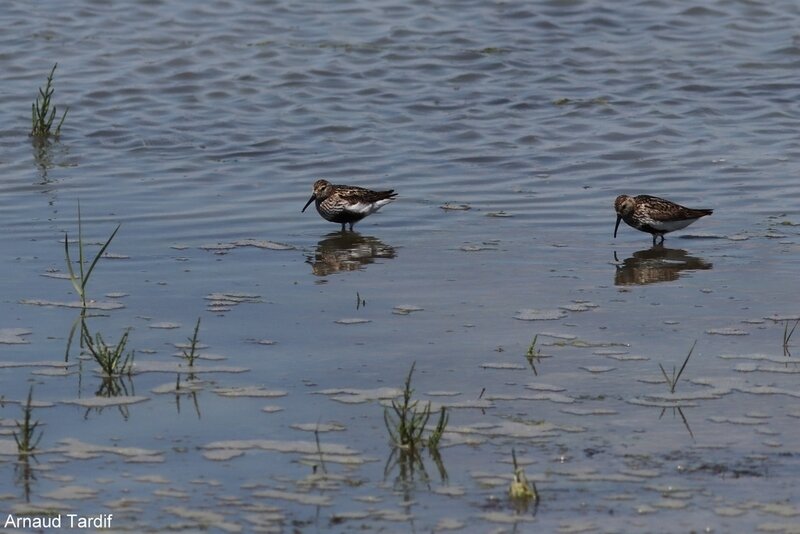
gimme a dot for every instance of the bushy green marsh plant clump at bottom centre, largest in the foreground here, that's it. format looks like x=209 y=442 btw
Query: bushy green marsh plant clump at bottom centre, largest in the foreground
x=408 y=421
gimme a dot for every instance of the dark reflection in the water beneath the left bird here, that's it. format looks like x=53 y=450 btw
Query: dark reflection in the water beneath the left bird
x=347 y=251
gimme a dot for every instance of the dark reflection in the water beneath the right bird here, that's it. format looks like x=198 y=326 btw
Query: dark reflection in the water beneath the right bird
x=656 y=264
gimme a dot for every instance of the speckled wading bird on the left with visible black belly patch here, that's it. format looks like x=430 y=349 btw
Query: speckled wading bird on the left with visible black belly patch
x=347 y=204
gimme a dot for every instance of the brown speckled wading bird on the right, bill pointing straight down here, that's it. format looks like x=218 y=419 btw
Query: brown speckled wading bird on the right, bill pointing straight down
x=654 y=215
